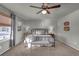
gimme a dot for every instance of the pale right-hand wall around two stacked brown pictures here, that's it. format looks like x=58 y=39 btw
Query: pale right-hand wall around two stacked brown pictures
x=71 y=37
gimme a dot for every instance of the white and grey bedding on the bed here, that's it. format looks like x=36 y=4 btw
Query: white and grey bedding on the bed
x=38 y=39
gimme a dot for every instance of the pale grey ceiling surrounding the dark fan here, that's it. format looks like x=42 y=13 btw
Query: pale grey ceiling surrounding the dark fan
x=27 y=13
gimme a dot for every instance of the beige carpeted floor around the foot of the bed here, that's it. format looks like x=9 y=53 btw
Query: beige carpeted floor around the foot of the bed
x=59 y=50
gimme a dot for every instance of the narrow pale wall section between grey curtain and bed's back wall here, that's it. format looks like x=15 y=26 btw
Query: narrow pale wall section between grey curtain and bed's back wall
x=18 y=34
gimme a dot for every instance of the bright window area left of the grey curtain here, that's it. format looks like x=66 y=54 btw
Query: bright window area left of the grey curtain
x=5 y=33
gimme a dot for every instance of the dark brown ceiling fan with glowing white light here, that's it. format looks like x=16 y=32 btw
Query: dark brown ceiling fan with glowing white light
x=45 y=8
